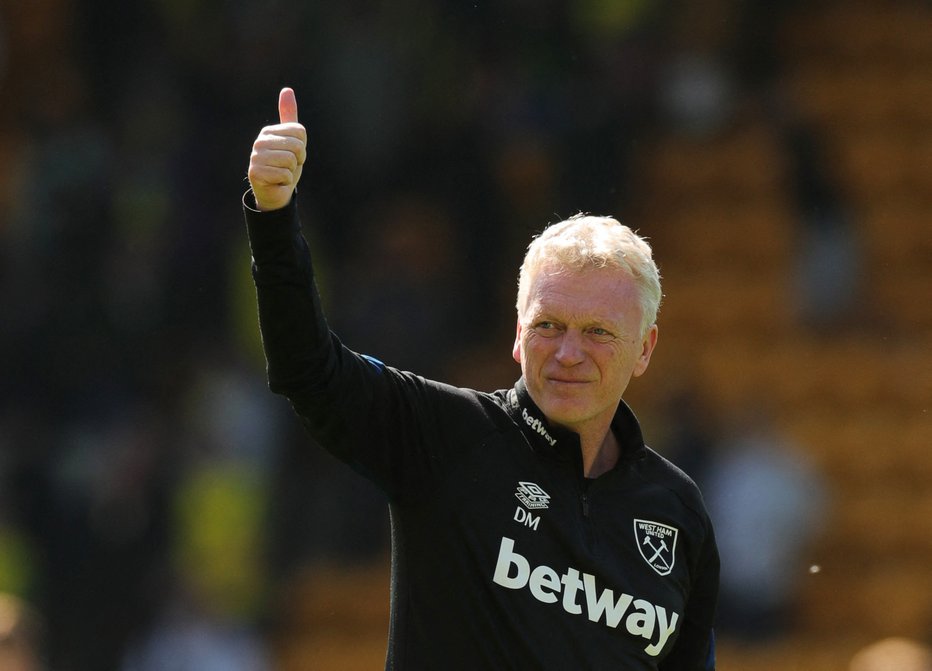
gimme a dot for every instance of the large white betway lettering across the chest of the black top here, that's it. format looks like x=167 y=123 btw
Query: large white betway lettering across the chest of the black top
x=643 y=619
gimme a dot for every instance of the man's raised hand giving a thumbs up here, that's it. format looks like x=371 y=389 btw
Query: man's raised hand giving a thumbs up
x=278 y=156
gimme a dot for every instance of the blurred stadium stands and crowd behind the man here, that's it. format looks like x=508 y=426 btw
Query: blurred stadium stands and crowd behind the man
x=160 y=509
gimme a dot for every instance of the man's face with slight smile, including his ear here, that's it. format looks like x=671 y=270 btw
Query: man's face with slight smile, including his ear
x=579 y=343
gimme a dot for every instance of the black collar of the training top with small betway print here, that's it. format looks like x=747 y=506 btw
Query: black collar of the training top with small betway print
x=557 y=441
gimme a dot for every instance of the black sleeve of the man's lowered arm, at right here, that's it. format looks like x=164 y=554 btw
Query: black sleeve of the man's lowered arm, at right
x=694 y=649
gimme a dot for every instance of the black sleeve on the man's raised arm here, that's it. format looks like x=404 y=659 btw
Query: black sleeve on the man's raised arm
x=385 y=423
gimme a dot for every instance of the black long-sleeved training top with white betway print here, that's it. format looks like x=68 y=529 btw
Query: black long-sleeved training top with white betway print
x=503 y=555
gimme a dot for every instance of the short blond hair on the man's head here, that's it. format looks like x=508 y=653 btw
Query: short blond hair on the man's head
x=585 y=241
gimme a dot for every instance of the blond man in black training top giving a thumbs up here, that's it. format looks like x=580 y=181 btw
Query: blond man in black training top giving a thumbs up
x=531 y=527
